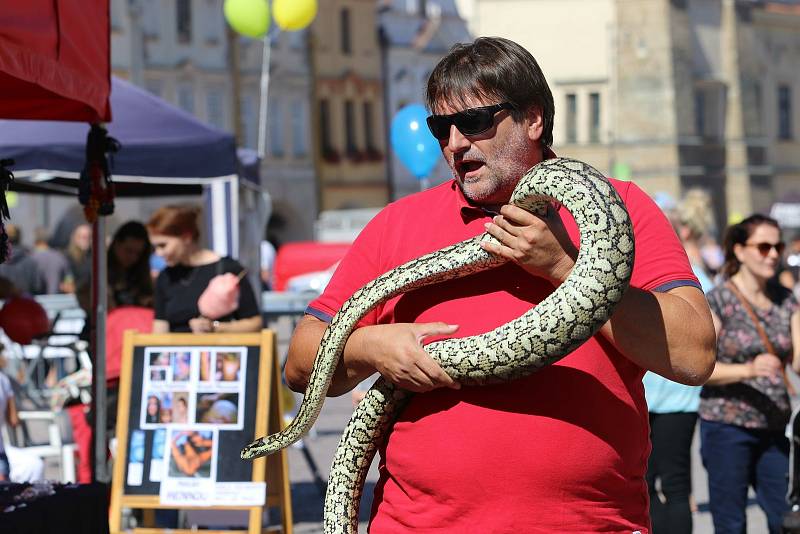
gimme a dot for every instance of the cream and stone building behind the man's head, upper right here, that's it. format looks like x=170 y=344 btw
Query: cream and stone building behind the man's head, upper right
x=674 y=94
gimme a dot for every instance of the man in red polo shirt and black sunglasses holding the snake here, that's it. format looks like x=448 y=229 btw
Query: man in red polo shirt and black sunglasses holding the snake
x=564 y=450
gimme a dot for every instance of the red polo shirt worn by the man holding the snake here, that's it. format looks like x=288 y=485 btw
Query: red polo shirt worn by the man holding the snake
x=564 y=450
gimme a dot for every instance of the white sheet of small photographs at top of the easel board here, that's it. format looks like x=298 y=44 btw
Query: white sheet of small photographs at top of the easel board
x=192 y=387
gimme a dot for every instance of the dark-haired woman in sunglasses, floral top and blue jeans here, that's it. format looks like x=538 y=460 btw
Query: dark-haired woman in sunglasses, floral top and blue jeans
x=744 y=406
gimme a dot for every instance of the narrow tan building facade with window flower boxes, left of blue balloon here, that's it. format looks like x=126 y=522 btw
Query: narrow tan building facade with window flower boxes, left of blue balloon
x=347 y=104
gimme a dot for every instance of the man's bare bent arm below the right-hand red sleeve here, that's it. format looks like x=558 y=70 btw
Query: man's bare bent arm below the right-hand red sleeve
x=671 y=333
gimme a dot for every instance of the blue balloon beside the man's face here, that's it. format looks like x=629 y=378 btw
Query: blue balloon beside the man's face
x=413 y=142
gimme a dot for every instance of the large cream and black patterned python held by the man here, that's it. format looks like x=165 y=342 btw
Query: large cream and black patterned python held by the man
x=565 y=319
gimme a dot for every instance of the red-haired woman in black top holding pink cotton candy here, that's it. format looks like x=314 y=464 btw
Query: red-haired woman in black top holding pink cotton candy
x=174 y=232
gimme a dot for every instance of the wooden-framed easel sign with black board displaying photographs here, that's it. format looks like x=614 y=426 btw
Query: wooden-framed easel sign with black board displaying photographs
x=187 y=405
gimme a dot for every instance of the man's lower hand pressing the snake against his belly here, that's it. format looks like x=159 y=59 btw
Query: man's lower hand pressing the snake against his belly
x=395 y=351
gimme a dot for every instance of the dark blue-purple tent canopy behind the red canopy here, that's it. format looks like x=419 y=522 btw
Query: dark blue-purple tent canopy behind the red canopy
x=158 y=141
